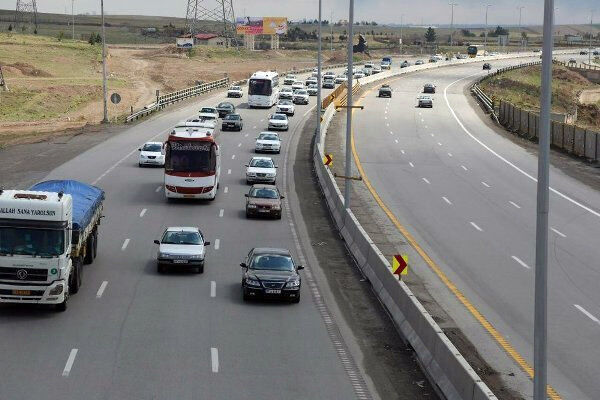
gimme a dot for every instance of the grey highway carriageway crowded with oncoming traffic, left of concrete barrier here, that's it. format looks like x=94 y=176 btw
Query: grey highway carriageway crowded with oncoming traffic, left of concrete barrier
x=131 y=333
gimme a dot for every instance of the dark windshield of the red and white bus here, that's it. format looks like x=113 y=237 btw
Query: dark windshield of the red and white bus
x=191 y=156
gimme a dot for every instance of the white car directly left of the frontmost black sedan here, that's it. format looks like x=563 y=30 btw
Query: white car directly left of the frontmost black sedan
x=181 y=246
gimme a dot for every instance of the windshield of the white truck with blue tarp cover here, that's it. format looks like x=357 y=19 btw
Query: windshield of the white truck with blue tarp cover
x=32 y=242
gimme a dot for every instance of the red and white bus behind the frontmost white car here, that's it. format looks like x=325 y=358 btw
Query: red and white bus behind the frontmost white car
x=192 y=164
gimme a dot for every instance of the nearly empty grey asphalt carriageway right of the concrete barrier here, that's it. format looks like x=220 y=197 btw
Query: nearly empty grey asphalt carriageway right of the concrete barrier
x=467 y=194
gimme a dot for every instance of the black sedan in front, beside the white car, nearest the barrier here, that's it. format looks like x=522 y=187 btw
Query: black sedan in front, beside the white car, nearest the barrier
x=271 y=273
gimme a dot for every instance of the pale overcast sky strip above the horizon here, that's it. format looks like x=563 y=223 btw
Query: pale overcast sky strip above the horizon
x=428 y=12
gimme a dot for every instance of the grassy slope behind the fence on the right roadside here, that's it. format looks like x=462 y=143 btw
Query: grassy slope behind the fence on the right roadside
x=522 y=87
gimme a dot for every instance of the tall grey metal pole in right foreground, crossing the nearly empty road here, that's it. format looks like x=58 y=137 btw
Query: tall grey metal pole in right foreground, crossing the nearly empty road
x=540 y=340
